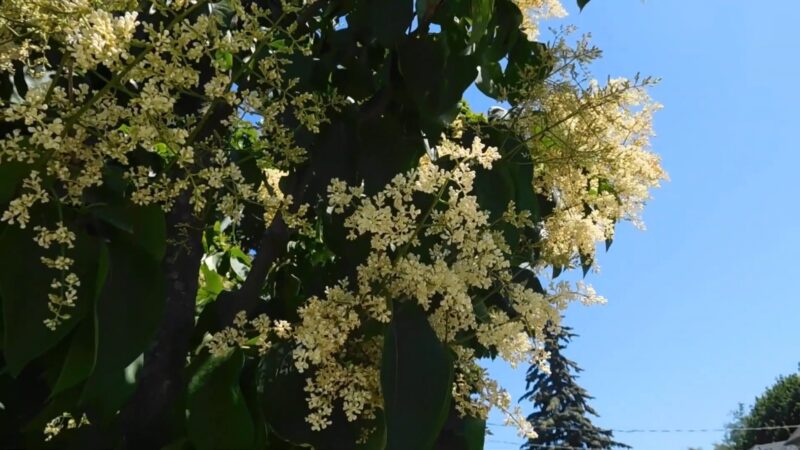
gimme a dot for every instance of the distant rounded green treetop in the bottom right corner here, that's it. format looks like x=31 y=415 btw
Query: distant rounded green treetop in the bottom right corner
x=778 y=405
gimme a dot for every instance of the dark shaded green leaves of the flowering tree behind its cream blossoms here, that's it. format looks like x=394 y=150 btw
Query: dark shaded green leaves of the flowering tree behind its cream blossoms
x=407 y=65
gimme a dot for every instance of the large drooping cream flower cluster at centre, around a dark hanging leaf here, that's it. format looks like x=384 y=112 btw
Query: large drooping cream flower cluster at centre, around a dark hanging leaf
x=467 y=262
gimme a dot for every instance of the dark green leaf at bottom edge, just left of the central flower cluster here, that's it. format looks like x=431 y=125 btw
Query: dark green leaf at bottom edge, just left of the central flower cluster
x=217 y=413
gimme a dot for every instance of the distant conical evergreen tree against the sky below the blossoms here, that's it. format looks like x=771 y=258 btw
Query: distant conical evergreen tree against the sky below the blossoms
x=561 y=414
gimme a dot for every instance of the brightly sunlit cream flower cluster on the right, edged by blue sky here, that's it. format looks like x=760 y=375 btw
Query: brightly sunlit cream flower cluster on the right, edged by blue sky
x=594 y=162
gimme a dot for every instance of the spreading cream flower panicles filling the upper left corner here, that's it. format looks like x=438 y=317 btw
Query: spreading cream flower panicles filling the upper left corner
x=117 y=92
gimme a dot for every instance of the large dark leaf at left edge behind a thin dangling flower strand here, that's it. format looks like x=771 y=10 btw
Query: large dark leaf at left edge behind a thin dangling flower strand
x=24 y=287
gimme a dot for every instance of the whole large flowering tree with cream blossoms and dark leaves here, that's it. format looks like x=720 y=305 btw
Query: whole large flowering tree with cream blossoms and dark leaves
x=274 y=223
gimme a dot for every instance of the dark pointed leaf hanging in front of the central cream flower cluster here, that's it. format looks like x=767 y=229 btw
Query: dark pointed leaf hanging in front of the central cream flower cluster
x=416 y=380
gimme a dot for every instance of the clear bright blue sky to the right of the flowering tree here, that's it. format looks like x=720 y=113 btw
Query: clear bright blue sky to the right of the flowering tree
x=703 y=309
